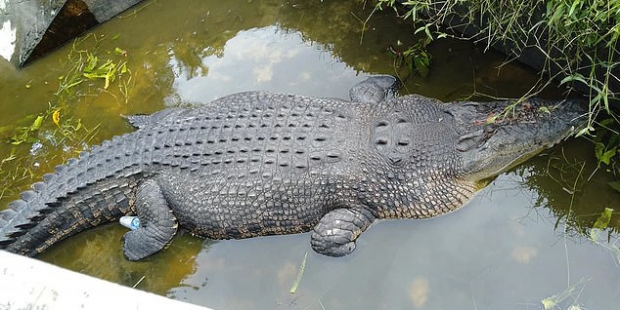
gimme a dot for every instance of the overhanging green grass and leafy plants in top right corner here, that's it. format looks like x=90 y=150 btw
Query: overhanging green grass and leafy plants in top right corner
x=577 y=38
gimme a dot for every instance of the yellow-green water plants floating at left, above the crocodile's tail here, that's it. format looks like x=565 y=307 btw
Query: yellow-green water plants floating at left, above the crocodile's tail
x=53 y=128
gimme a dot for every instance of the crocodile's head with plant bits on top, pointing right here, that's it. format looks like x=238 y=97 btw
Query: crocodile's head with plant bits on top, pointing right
x=496 y=136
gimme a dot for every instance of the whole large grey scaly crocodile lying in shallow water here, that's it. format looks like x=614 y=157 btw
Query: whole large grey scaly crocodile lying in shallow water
x=257 y=163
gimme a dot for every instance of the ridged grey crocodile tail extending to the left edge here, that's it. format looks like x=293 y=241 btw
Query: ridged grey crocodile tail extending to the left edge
x=86 y=191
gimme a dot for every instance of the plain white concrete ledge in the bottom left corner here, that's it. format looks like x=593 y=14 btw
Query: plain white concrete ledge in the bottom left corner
x=26 y=283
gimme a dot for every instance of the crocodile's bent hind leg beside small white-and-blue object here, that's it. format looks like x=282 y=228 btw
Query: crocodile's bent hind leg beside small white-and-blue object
x=157 y=223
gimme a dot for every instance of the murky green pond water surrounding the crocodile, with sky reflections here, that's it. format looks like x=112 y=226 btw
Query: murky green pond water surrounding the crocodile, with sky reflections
x=521 y=240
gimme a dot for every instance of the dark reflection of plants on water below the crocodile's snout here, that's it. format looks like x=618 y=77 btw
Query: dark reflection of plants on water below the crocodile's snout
x=568 y=185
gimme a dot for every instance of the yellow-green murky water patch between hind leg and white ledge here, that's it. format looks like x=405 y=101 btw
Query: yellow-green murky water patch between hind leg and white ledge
x=98 y=252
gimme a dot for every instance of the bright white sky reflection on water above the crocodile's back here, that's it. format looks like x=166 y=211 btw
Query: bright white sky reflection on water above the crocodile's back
x=267 y=58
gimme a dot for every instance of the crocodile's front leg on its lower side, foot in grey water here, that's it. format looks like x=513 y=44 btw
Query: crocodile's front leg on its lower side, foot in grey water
x=336 y=232
